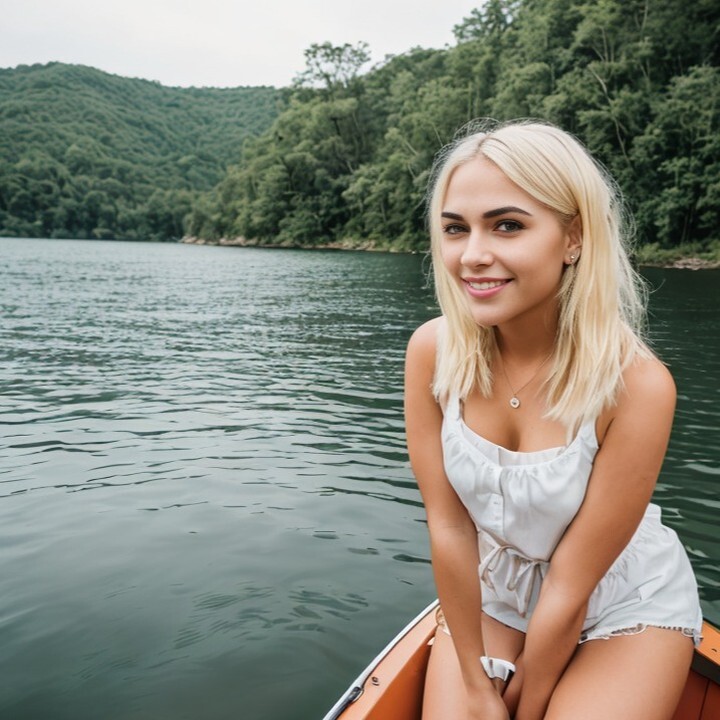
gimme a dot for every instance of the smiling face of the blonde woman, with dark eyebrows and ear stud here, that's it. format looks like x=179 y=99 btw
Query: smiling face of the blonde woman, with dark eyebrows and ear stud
x=505 y=250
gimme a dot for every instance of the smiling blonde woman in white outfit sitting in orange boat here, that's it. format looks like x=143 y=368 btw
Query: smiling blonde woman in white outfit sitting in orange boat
x=537 y=421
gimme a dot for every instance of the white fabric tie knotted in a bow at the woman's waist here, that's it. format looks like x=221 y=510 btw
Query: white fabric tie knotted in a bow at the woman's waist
x=503 y=568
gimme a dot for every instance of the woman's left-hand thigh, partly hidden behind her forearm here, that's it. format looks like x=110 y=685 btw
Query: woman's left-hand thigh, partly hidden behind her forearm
x=444 y=695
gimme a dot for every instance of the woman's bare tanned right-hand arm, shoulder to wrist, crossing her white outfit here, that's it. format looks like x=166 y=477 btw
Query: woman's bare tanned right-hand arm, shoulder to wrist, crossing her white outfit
x=623 y=478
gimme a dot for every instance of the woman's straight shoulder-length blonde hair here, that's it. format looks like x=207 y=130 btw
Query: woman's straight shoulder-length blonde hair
x=602 y=299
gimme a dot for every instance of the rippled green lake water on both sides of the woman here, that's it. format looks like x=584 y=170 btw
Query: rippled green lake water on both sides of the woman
x=206 y=509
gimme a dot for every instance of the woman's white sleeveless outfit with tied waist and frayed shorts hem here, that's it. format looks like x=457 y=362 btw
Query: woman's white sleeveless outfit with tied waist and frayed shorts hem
x=522 y=503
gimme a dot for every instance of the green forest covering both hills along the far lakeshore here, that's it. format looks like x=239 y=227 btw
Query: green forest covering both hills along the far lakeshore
x=343 y=155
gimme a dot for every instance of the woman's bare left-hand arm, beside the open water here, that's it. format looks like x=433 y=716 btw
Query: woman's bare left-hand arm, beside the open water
x=453 y=536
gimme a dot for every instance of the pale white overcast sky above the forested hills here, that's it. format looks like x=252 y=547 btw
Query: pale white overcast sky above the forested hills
x=215 y=42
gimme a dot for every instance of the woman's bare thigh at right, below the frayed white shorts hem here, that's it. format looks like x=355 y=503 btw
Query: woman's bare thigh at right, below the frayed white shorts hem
x=633 y=677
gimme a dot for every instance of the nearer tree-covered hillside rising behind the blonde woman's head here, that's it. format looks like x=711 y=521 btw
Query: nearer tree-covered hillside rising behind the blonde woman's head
x=347 y=160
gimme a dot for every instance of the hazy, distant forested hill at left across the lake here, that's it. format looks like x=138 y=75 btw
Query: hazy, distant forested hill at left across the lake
x=87 y=154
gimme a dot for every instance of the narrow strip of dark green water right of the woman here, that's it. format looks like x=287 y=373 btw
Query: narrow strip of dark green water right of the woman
x=685 y=327
